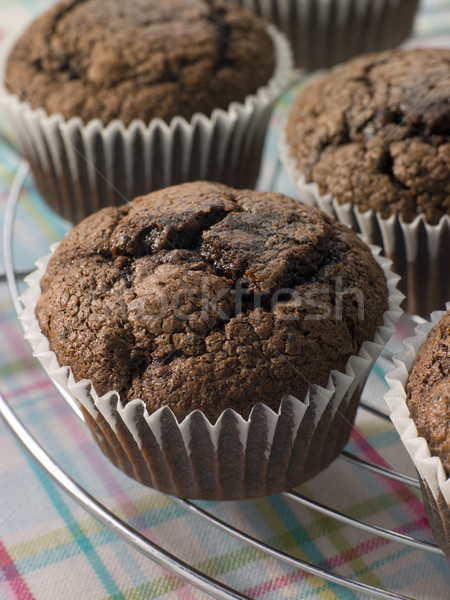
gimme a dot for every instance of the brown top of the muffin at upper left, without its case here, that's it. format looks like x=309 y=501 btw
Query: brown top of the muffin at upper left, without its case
x=140 y=59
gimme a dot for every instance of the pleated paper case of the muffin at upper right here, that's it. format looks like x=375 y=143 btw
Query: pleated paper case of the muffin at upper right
x=419 y=251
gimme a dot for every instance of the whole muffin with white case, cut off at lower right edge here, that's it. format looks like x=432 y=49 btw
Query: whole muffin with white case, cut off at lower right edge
x=419 y=399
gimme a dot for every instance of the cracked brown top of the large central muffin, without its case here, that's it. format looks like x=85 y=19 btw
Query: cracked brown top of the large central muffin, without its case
x=200 y=296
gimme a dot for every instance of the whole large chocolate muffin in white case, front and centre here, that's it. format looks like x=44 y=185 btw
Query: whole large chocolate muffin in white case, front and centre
x=217 y=340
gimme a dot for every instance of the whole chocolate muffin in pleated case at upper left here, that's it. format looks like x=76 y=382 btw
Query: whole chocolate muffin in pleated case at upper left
x=110 y=99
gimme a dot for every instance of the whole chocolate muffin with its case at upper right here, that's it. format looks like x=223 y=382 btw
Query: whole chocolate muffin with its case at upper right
x=369 y=142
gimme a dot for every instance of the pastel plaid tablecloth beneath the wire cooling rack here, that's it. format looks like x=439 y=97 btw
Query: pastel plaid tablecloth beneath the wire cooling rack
x=51 y=549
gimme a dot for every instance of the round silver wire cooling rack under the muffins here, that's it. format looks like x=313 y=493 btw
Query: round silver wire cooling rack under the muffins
x=153 y=551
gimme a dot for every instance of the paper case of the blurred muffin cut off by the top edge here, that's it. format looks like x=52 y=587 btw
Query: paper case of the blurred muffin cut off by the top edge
x=324 y=33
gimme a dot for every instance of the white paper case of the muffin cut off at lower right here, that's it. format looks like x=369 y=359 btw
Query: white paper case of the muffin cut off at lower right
x=434 y=483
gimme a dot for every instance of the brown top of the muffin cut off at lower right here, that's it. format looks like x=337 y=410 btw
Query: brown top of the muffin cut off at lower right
x=428 y=391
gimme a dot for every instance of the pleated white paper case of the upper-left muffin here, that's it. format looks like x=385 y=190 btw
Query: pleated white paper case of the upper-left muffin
x=80 y=168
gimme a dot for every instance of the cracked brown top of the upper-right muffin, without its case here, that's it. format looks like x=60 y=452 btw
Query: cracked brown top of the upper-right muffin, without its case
x=376 y=132
